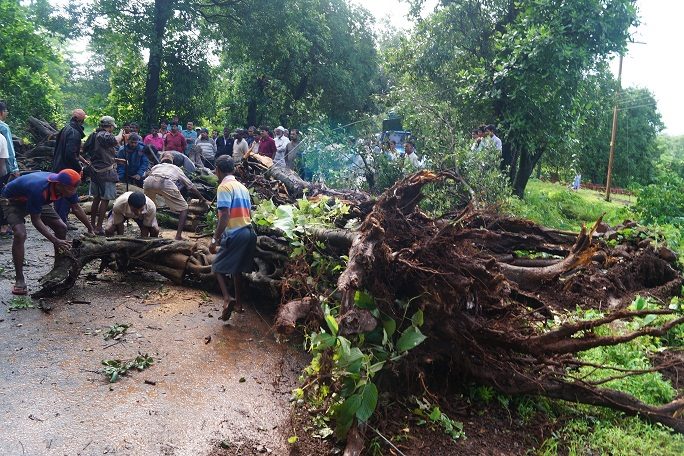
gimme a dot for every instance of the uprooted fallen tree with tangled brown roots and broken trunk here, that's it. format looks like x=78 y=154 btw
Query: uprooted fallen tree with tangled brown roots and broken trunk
x=492 y=316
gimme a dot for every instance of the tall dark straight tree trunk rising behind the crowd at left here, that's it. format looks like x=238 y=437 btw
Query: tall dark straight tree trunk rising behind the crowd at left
x=162 y=12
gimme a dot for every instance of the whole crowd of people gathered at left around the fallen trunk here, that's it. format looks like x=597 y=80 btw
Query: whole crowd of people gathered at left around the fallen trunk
x=155 y=164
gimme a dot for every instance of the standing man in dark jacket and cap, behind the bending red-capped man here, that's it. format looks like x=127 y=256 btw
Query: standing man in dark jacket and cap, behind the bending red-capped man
x=67 y=154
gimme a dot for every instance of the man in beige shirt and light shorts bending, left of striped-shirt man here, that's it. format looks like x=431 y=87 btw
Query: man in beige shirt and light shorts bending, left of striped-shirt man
x=166 y=180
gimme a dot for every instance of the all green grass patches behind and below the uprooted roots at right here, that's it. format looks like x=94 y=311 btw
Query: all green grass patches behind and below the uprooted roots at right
x=593 y=430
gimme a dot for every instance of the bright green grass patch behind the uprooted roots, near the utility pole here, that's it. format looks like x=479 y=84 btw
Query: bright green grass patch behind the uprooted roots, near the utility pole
x=556 y=206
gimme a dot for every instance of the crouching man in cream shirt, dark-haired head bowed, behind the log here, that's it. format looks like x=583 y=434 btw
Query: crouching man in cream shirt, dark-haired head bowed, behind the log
x=137 y=207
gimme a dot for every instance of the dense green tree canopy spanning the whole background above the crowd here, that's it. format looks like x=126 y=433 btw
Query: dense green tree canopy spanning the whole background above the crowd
x=537 y=69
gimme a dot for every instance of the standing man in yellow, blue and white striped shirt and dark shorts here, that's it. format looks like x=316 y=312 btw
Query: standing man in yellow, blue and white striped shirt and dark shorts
x=234 y=234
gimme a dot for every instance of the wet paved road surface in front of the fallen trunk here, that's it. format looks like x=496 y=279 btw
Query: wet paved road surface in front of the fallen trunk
x=53 y=400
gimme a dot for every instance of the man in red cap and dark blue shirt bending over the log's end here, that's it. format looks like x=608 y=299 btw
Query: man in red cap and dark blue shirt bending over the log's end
x=32 y=194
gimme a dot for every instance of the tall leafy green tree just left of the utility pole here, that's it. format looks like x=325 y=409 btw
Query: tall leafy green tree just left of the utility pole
x=518 y=64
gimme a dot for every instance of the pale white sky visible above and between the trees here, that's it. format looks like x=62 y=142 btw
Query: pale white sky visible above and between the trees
x=657 y=65
